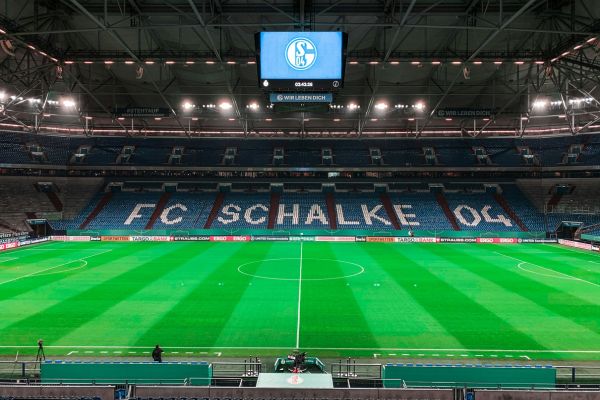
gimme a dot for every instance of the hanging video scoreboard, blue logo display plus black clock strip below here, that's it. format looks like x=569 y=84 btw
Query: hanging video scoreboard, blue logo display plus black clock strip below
x=297 y=61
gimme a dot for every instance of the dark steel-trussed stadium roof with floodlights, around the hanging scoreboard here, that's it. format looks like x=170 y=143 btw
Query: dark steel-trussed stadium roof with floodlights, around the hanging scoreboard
x=67 y=65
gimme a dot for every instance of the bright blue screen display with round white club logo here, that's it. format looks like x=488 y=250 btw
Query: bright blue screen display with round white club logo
x=301 y=55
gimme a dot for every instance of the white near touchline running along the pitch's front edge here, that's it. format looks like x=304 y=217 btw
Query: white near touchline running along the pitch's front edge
x=494 y=351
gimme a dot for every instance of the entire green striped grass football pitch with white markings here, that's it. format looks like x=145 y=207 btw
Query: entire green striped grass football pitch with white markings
x=452 y=301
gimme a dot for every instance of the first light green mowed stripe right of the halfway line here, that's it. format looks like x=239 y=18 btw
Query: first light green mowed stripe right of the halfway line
x=394 y=317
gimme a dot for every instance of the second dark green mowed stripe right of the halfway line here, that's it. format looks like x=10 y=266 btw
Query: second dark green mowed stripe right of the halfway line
x=462 y=317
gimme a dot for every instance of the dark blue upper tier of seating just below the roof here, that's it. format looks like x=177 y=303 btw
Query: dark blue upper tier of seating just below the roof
x=204 y=152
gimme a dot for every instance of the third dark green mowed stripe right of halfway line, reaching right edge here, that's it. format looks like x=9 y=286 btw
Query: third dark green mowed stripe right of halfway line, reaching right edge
x=555 y=300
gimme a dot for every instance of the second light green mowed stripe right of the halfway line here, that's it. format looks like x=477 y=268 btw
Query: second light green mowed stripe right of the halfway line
x=527 y=316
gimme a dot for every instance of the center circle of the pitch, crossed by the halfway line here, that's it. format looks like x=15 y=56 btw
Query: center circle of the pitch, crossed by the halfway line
x=313 y=269
